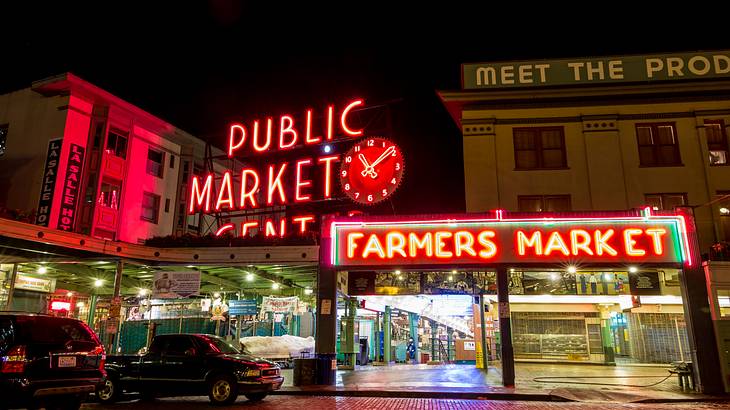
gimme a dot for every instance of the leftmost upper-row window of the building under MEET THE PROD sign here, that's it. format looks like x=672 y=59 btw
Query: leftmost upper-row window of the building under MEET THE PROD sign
x=539 y=148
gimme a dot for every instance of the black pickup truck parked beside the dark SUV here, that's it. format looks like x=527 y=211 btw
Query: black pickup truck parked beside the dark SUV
x=188 y=365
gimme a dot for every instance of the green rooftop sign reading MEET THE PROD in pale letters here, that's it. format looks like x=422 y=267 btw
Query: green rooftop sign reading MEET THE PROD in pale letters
x=586 y=71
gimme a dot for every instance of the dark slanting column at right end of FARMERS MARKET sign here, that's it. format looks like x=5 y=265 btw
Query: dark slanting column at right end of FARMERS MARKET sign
x=693 y=284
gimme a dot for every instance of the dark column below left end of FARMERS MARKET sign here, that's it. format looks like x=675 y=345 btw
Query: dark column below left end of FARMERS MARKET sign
x=326 y=330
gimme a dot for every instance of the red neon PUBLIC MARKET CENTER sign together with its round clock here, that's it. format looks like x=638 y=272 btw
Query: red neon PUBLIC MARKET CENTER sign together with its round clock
x=302 y=180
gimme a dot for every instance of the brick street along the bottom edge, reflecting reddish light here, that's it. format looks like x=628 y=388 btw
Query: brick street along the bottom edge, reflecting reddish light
x=352 y=403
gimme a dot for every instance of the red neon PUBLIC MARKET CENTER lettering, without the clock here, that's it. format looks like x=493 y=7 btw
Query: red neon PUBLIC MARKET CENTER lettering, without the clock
x=302 y=180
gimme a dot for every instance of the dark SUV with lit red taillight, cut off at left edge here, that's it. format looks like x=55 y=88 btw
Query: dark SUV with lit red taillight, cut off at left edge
x=47 y=361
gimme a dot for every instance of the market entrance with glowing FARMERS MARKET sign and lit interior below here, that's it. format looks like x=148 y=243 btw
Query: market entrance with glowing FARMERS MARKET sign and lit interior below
x=585 y=289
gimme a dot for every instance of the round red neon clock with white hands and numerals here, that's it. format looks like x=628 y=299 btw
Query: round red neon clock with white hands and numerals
x=371 y=170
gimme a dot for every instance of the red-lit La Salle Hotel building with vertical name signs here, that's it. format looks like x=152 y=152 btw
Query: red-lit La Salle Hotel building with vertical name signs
x=79 y=159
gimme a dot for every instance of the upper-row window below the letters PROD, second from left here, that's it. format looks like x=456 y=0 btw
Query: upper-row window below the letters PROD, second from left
x=658 y=144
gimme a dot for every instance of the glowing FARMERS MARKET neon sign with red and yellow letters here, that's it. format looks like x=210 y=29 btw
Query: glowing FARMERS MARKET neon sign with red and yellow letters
x=503 y=239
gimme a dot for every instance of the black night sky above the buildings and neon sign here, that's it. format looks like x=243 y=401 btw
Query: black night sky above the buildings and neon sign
x=201 y=66
